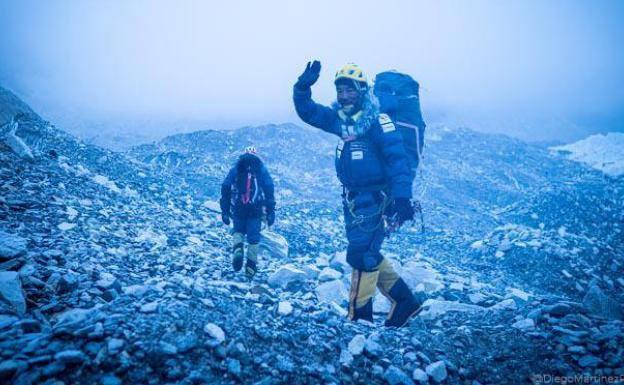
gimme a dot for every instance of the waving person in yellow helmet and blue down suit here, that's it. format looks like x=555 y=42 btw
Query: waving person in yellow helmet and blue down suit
x=373 y=168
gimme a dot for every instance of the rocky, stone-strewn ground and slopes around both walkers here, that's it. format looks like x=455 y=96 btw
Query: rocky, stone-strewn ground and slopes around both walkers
x=114 y=271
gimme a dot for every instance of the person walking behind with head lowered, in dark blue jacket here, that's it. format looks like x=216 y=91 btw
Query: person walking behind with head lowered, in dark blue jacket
x=247 y=197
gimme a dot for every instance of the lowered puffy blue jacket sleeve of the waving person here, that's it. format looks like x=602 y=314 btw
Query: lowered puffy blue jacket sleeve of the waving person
x=390 y=143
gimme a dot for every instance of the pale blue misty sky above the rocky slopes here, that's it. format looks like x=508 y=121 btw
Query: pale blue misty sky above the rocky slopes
x=535 y=69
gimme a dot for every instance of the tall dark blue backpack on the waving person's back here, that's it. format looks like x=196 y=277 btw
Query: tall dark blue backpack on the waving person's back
x=402 y=103
